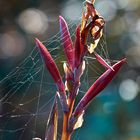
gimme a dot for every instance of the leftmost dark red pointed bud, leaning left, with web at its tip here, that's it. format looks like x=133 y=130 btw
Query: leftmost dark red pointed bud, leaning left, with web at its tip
x=51 y=66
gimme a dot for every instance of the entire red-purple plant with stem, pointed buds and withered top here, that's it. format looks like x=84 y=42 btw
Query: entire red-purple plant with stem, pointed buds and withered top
x=91 y=26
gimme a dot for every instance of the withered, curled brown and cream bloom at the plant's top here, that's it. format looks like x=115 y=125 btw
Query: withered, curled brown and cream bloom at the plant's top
x=91 y=26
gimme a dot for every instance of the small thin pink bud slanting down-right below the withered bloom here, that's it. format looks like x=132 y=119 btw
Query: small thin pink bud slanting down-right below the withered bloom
x=102 y=61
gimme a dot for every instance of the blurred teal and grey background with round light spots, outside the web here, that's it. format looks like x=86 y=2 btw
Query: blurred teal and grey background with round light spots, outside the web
x=115 y=114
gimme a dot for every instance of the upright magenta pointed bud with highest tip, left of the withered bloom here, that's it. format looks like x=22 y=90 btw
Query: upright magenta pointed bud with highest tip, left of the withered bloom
x=67 y=42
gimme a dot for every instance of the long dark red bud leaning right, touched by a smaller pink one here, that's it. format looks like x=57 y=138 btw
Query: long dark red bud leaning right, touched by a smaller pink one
x=97 y=87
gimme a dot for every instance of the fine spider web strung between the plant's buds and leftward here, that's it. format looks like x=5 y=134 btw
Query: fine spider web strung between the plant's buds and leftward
x=28 y=91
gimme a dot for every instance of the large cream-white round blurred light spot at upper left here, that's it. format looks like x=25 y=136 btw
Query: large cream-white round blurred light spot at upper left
x=33 y=21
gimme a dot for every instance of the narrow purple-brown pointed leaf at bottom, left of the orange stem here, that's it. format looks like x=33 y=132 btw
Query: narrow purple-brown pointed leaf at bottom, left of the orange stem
x=51 y=132
